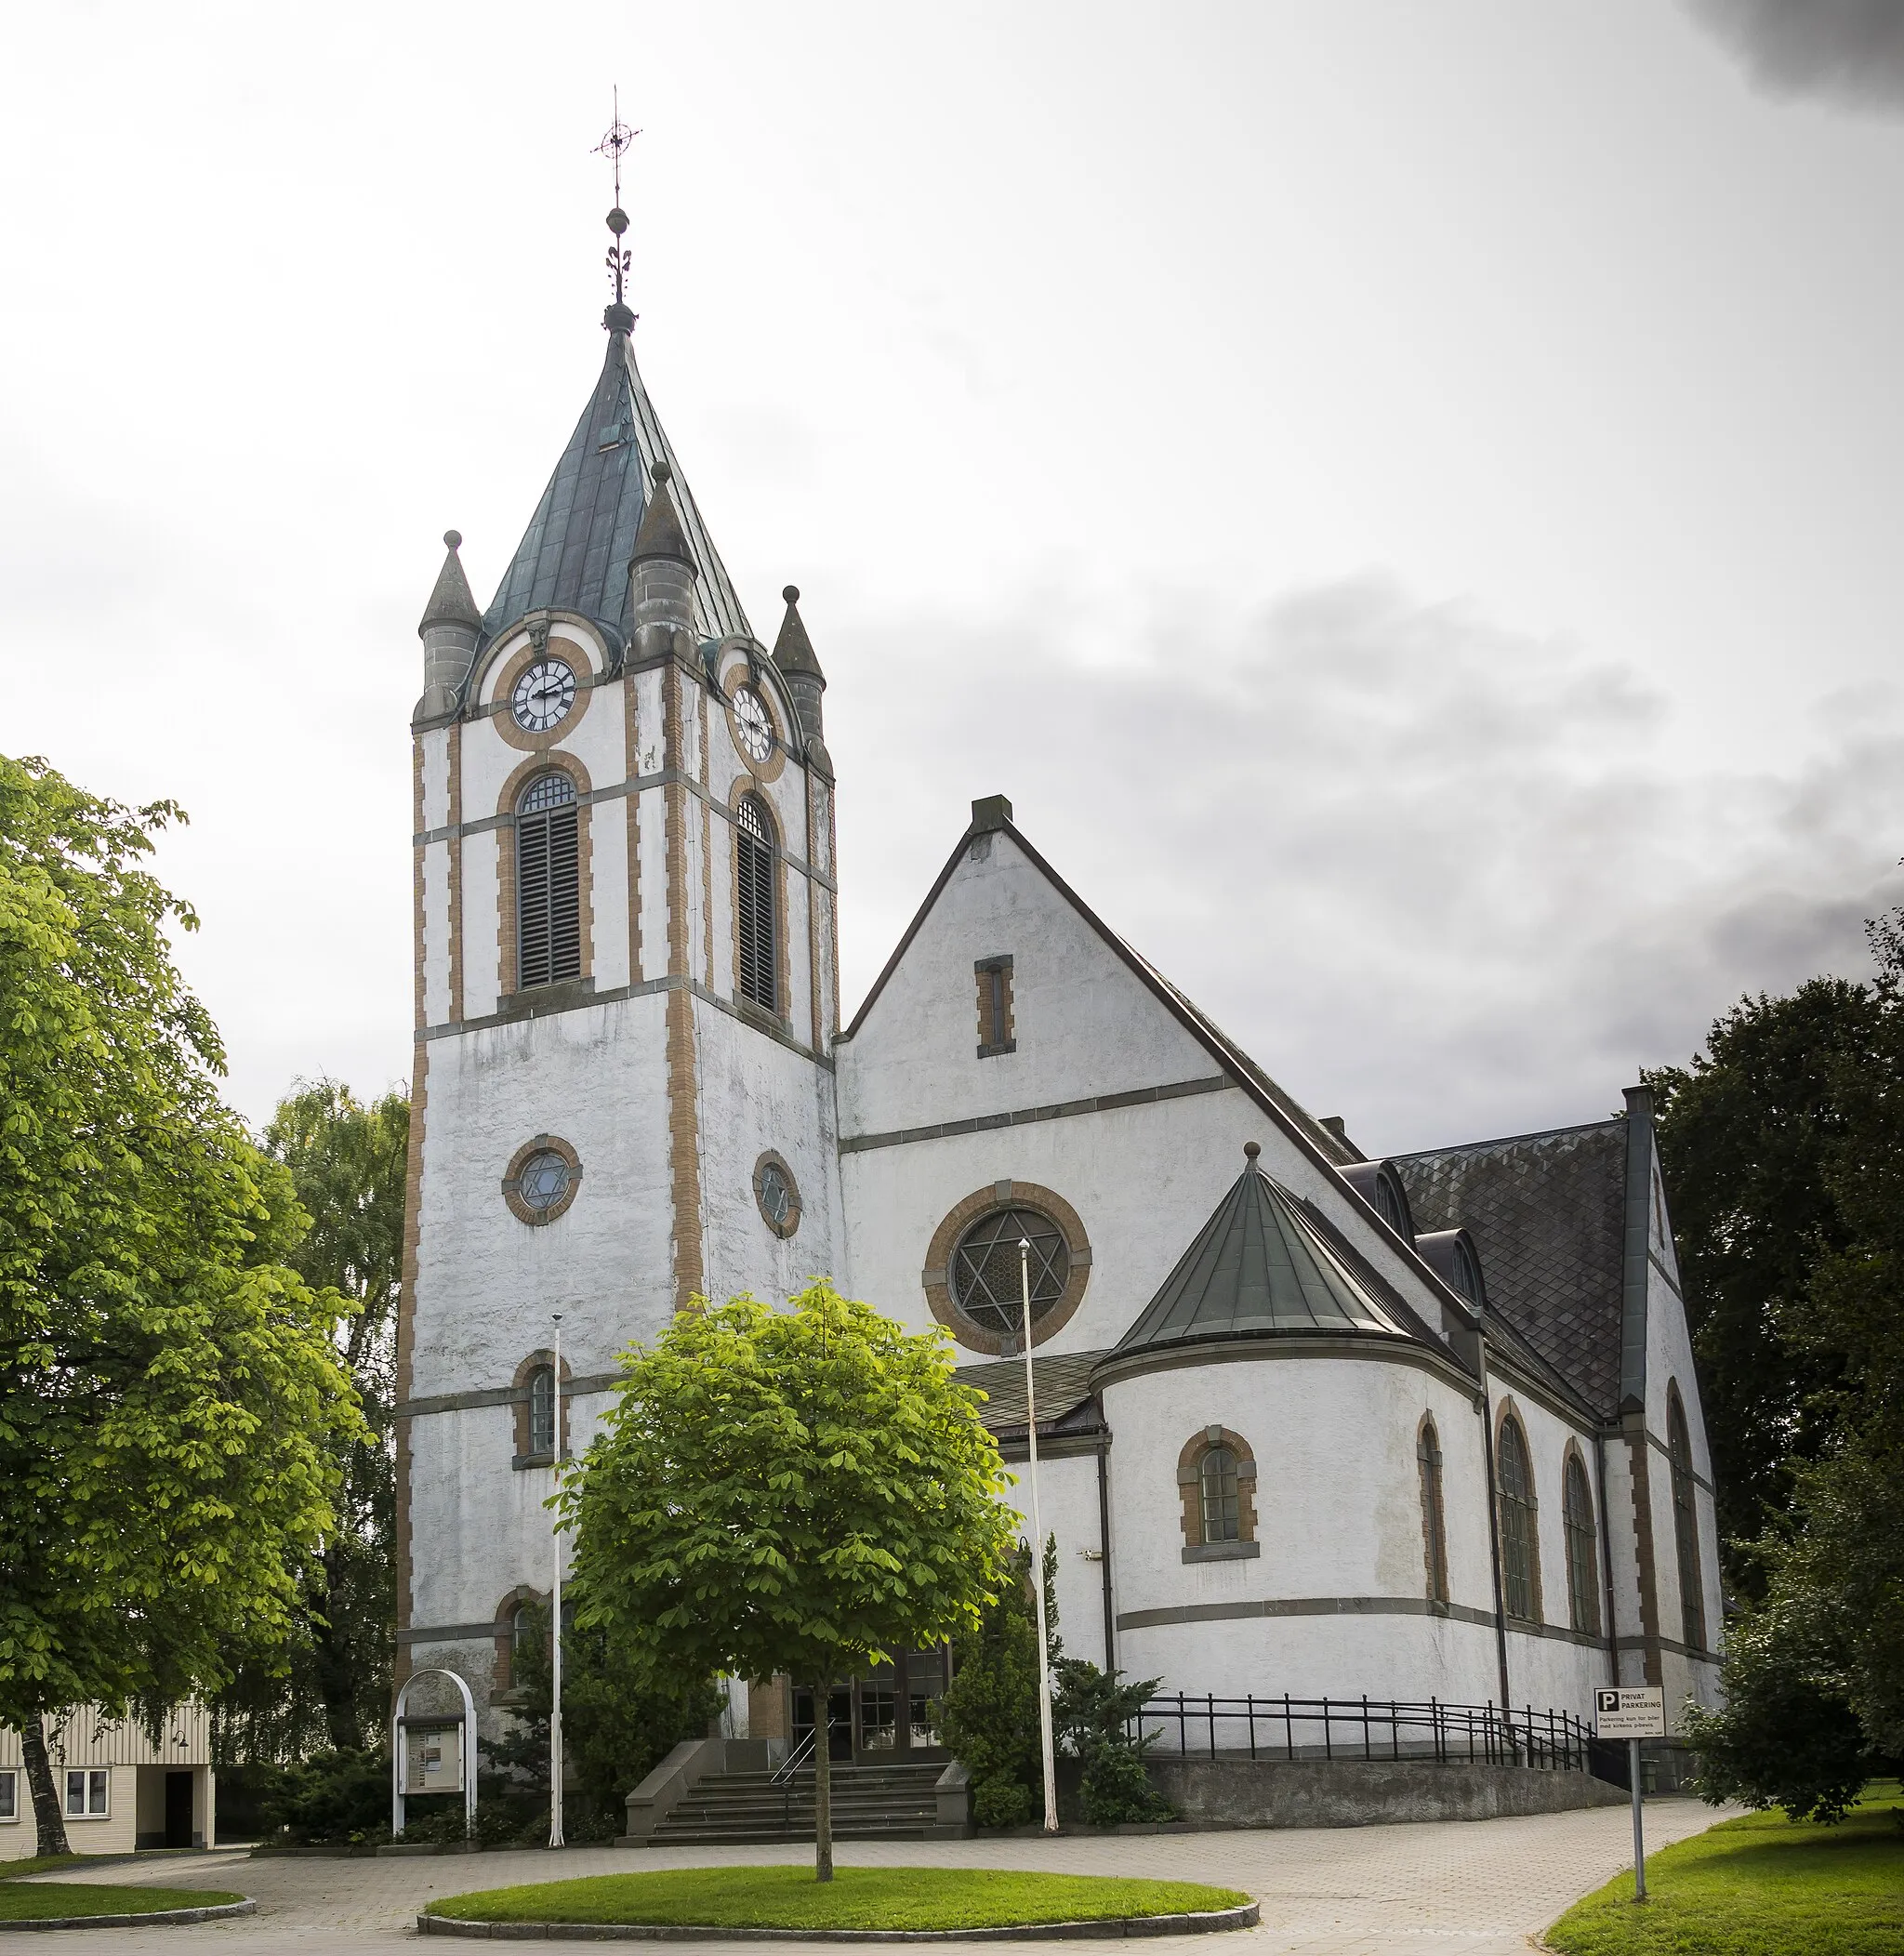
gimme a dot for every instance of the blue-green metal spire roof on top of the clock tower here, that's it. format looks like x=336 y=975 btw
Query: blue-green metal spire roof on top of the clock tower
x=574 y=555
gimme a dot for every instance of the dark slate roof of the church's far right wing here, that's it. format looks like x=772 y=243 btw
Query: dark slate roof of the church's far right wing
x=1547 y=1214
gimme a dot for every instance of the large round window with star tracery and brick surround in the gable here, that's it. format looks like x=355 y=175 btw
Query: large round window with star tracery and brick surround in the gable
x=987 y=1251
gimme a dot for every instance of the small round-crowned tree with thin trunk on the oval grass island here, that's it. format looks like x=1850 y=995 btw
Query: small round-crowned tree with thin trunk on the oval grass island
x=797 y=1493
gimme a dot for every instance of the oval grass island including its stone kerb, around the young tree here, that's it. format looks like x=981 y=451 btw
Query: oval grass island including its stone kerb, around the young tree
x=860 y=1904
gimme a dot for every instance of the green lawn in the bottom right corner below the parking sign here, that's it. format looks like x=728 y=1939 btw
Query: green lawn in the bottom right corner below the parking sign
x=1760 y=1887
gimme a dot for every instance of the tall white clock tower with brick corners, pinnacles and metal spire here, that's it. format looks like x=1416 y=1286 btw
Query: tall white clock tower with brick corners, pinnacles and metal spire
x=625 y=993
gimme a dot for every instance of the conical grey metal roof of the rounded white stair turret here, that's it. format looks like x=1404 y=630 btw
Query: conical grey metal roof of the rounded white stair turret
x=1261 y=1267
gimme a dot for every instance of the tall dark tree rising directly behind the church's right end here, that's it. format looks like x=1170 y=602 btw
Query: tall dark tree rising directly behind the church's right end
x=1750 y=1135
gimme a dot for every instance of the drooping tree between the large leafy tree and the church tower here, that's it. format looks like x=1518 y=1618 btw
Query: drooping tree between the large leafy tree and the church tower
x=347 y=1165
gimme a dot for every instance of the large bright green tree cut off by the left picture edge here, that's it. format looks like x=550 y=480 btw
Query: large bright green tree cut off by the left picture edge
x=171 y=1396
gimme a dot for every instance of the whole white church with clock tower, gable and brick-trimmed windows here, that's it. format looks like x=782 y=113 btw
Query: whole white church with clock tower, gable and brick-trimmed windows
x=1312 y=1419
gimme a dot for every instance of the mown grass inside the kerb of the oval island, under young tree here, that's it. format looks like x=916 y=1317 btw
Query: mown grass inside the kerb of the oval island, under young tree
x=856 y=1898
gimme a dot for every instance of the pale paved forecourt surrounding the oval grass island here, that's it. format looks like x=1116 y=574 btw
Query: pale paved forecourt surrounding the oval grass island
x=1453 y=1889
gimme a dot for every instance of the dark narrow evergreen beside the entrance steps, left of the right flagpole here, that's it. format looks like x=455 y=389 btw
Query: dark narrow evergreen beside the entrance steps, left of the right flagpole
x=989 y=1712
